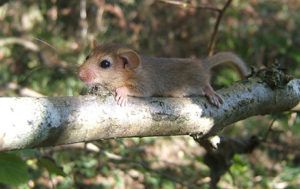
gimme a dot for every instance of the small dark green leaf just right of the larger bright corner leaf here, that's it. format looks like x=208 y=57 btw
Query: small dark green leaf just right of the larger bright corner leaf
x=51 y=166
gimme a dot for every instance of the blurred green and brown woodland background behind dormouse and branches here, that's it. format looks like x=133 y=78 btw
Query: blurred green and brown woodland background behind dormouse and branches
x=43 y=42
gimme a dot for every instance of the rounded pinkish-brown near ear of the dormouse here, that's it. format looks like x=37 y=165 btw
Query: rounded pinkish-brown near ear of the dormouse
x=130 y=58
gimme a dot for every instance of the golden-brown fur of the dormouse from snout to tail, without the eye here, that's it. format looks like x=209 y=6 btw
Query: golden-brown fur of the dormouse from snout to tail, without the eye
x=151 y=76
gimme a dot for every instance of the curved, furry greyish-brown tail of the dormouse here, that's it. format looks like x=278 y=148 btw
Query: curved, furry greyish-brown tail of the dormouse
x=227 y=57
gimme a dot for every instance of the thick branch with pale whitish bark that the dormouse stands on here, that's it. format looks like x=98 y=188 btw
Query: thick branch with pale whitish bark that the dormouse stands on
x=46 y=121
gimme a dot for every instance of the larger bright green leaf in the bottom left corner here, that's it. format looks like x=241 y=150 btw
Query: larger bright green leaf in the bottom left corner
x=13 y=169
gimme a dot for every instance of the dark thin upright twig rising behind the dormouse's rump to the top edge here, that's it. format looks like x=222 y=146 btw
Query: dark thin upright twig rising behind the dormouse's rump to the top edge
x=212 y=42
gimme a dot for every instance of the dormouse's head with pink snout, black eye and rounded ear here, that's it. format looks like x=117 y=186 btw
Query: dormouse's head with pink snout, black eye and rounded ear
x=109 y=65
